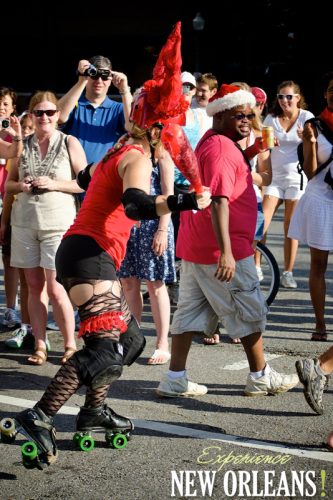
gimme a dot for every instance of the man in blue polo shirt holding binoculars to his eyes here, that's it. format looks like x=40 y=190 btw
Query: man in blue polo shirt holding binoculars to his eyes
x=89 y=114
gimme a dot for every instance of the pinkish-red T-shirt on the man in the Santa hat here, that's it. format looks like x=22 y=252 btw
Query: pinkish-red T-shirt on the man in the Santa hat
x=224 y=169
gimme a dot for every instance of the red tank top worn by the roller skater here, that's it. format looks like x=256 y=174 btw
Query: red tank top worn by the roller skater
x=102 y=215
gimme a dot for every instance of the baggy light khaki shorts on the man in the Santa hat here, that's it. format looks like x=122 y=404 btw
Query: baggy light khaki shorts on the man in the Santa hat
x=204 y=300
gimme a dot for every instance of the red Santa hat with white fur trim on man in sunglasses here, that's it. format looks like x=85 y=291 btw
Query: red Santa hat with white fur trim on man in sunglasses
x=228 y=97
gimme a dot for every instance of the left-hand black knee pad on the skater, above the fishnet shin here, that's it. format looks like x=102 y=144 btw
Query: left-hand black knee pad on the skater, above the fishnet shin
x=98 y=363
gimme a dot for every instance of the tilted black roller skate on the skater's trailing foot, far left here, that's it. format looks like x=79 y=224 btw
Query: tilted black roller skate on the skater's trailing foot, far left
x=41 y=448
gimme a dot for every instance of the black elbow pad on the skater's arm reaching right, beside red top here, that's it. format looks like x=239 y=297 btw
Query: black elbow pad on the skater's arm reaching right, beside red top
x=139 y=205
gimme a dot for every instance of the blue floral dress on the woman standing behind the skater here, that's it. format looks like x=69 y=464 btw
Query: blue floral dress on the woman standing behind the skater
x=140 y=261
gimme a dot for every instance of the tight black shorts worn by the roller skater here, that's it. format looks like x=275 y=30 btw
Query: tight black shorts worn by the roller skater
x=81 y=257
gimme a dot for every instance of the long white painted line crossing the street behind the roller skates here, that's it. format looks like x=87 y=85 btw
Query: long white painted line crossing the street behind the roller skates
x=178 y=430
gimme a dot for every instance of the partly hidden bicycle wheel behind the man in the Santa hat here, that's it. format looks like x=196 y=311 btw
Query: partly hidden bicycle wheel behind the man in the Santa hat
x=271 y=273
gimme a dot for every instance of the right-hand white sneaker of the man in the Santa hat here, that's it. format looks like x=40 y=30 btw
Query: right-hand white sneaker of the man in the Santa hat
x=272 y=383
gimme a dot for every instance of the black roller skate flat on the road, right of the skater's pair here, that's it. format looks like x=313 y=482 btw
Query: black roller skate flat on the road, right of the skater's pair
x=117 y=428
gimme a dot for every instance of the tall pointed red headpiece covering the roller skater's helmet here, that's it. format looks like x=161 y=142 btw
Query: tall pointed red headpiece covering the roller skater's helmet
x=161 y=99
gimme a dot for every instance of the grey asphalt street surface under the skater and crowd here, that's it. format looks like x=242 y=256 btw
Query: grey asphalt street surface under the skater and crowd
x=221 y=445
